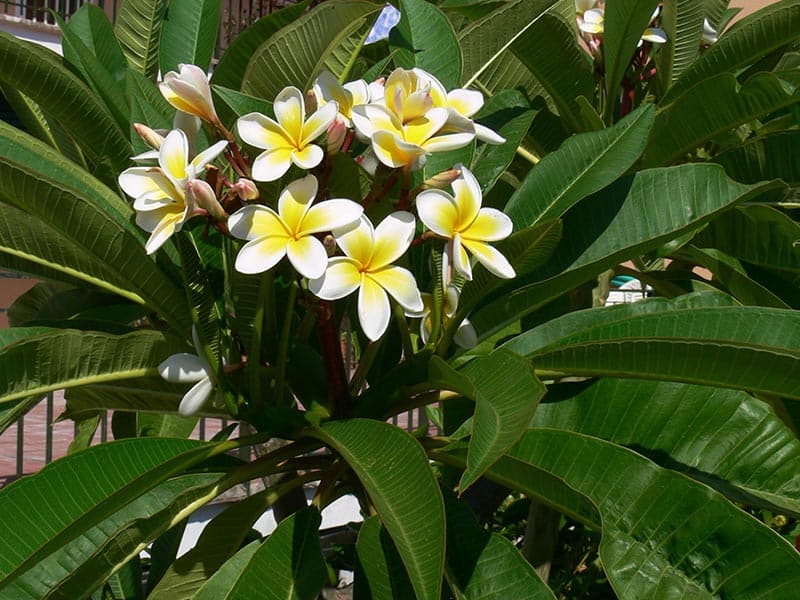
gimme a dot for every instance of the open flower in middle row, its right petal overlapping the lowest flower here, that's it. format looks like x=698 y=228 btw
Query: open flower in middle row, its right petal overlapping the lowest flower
x=290 y=231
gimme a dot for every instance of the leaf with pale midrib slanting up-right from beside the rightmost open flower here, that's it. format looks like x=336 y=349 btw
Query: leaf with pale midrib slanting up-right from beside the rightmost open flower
x=583 y=165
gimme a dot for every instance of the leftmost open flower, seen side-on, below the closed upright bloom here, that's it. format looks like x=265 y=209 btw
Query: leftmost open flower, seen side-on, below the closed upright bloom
x=159 y=193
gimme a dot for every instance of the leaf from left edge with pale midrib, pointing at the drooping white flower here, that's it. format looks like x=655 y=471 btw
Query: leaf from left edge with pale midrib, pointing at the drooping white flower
x=75 y=358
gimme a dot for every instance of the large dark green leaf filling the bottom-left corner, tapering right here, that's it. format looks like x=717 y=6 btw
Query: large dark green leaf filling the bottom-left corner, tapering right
x=55 y=507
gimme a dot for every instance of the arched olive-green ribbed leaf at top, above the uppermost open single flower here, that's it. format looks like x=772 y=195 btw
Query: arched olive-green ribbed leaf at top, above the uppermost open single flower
x=278 y=62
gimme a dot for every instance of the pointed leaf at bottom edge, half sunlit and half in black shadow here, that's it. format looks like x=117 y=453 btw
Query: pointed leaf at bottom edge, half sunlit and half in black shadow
x=288 y=565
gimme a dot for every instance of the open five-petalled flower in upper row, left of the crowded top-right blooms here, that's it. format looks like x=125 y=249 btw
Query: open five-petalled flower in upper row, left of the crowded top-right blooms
x=289 y=139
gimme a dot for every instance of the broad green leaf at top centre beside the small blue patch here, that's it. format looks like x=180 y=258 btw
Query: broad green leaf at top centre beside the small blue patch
x=425 y=38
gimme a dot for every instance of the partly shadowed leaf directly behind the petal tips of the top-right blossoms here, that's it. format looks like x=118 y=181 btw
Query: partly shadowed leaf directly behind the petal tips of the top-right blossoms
x=509 y=114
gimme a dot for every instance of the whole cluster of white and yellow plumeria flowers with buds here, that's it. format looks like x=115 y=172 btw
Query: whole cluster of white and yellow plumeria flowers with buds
x=401 y=121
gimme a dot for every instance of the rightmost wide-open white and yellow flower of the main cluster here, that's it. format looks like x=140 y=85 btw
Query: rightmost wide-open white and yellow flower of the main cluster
x=467 y=227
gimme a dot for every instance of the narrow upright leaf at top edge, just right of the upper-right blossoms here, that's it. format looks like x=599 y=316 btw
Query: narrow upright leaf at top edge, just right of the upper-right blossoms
x=682 y=21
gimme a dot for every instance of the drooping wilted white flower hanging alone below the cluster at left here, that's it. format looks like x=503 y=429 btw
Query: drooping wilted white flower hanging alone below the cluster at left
x=191 y=368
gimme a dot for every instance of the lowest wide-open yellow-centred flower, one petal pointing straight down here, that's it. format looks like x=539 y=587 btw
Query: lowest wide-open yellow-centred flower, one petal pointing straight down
x=367 y=267
